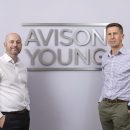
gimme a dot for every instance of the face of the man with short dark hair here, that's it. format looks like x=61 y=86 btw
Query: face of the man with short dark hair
x=114 y=37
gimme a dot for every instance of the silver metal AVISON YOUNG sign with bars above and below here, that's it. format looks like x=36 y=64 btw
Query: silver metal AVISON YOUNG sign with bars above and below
x=64 y=46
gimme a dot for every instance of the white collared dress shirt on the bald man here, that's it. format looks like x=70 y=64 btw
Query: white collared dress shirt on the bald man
x=14 y=94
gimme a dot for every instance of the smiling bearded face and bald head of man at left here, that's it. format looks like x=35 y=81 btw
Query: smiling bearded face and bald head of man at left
x=13 y=44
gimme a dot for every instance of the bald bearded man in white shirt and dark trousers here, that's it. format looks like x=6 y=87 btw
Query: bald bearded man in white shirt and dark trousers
x=14 y=97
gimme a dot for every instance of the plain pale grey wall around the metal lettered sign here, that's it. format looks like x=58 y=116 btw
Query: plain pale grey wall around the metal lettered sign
x=63 y=100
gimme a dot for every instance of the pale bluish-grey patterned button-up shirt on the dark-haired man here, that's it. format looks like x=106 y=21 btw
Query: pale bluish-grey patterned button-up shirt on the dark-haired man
x=116 y=69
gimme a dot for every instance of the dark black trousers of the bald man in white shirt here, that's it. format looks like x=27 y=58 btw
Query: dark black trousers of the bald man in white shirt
x=16 y=120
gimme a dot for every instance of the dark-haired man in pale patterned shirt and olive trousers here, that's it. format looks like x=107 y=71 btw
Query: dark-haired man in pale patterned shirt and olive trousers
x=114 y=103
